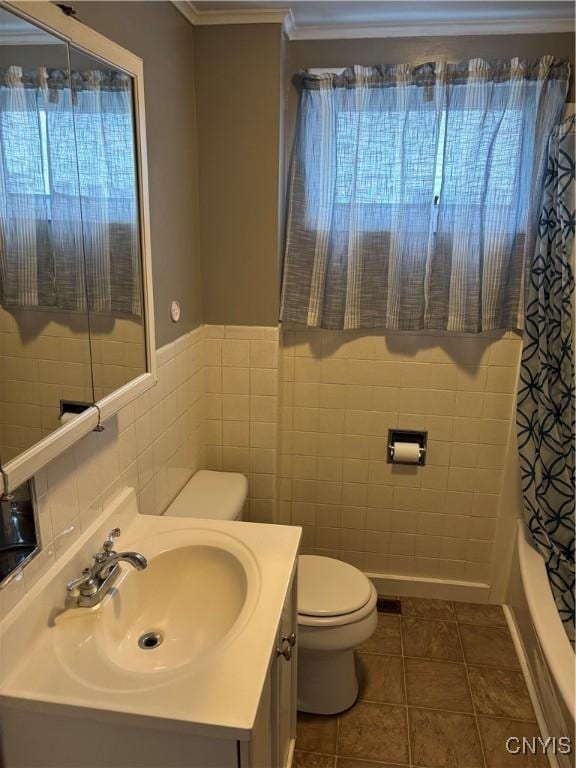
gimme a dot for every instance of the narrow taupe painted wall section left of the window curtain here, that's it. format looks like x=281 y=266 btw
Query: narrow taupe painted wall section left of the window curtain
x=238 y=83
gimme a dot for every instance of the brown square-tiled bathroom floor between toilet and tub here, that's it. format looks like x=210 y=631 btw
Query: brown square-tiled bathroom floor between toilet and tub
x=440 y=687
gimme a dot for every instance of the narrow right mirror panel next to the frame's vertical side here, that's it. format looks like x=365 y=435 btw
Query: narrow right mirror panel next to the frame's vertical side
x=103 y=109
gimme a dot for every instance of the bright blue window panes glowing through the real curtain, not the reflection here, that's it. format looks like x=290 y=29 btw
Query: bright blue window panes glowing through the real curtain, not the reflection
x=370 y=159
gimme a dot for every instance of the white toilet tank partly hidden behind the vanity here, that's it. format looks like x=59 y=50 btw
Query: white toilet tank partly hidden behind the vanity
x=213 y=495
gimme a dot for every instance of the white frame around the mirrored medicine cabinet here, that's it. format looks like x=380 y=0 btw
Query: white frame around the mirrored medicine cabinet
x=69 y=30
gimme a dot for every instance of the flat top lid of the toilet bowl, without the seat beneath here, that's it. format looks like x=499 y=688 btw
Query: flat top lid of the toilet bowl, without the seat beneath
x=329 y=587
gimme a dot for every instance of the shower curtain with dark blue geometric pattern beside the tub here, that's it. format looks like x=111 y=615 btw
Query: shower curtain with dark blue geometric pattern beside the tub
x=545 y=416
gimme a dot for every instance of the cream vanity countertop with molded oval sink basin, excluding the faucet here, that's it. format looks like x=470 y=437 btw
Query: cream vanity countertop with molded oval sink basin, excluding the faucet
x=186 y=640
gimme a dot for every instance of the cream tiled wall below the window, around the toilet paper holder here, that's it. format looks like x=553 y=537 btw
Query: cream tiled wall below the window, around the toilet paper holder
x=341 y=392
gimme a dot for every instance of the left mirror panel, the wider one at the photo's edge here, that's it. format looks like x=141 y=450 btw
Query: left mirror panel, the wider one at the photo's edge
x=44 y=344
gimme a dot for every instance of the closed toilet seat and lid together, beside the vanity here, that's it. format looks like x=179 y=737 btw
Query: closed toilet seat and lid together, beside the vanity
x=332 y=592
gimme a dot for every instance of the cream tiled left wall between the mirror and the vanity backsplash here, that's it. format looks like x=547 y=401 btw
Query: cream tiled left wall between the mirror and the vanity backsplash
x=154 y=444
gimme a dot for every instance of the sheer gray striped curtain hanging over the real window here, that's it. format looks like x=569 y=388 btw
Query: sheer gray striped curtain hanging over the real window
x=413 y=195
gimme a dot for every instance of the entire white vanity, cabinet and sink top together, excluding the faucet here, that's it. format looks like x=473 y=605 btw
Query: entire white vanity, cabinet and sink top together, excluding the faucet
x=70 y=697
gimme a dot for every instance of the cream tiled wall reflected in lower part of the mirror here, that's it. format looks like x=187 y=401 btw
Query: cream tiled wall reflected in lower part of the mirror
x=46 y=356
